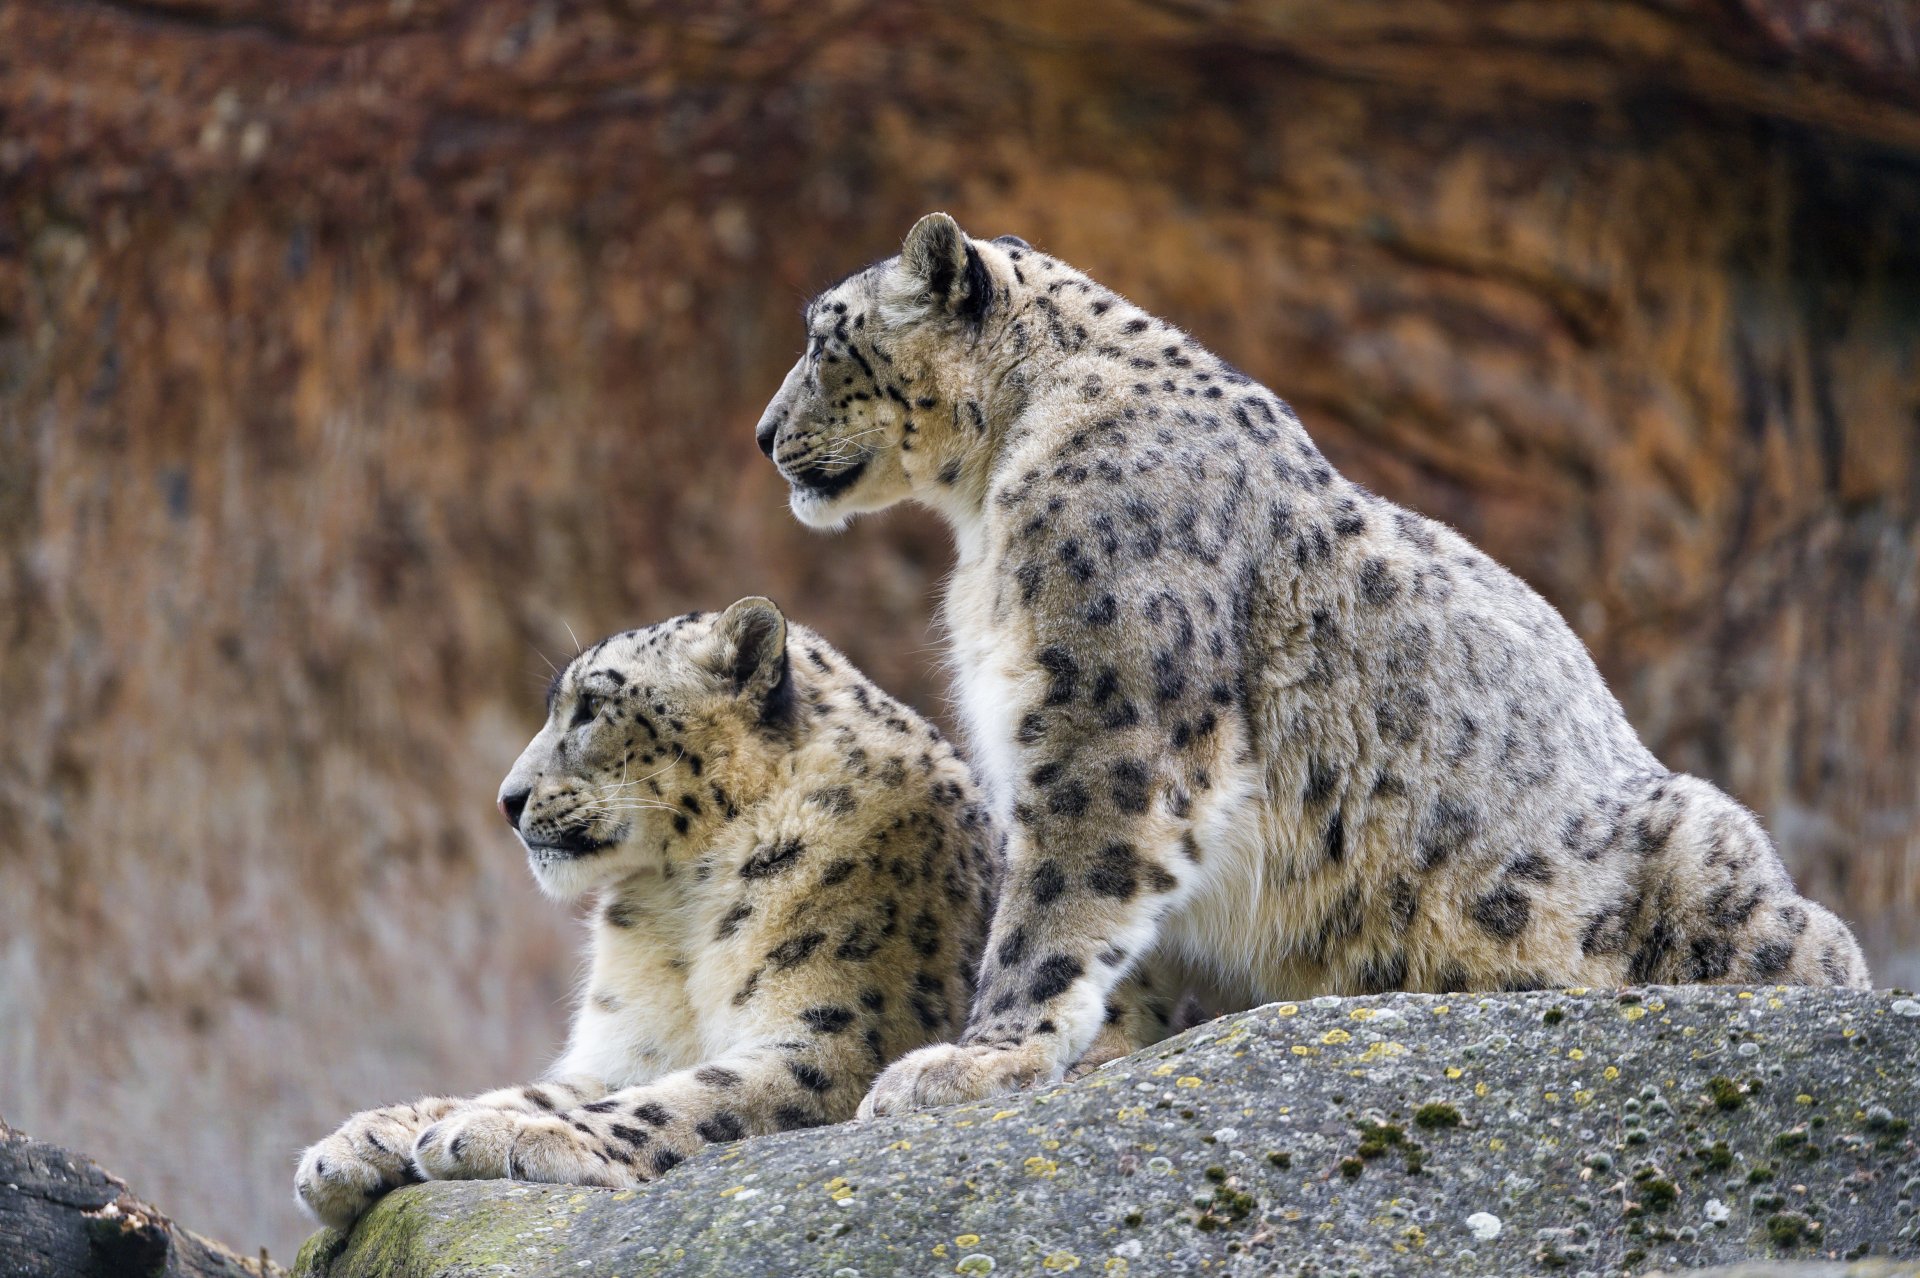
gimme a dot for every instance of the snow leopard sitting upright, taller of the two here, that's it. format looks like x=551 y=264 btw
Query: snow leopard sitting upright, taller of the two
x=1245 y=719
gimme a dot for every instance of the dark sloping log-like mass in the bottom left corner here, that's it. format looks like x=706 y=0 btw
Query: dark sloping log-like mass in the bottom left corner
x=62 y=1216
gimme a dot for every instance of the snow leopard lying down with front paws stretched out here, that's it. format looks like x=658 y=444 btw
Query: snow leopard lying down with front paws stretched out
x=794 y=880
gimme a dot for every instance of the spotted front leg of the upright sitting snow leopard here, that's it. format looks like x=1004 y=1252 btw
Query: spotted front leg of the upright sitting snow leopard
x=1111 y=745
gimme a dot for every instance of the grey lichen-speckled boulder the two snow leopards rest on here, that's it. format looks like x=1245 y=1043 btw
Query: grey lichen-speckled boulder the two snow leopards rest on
x=1454 y=1135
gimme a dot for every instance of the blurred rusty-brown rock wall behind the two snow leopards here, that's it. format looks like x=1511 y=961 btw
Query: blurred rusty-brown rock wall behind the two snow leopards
x=352 y=352
